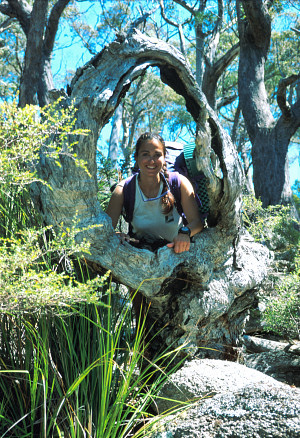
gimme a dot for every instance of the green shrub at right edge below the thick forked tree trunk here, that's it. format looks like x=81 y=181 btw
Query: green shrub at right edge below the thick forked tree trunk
x=275 y=227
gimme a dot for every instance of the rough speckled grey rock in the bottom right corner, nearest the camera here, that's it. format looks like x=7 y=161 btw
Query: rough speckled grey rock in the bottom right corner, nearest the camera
x=254 y=412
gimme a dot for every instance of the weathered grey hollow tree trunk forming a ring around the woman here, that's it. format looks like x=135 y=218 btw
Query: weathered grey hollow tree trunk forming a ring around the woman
x=201 y=297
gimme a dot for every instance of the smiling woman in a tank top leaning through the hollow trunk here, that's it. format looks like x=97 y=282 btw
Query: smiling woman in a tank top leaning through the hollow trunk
x=155 y=217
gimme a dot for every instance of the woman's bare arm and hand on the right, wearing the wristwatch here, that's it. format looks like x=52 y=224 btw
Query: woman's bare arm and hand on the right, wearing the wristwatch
x=190 y=208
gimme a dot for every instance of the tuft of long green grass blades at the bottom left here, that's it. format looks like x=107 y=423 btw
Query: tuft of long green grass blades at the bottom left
x=76 y=372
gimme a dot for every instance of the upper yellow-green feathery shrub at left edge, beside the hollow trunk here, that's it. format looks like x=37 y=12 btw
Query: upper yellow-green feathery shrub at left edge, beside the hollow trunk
x=23 y=132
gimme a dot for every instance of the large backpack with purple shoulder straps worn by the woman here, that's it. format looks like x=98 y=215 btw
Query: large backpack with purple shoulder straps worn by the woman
x=179 y=159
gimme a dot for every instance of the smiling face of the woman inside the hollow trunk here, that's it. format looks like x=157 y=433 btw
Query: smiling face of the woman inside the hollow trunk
x=150 y=157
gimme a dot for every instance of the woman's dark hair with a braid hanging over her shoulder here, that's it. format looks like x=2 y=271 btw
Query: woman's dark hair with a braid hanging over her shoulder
x=168 y=200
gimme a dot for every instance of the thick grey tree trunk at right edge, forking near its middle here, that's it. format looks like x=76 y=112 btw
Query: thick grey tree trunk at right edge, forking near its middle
x=269 y=138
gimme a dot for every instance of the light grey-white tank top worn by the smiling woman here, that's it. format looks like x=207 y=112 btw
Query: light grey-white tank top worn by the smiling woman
x=149 y=221
